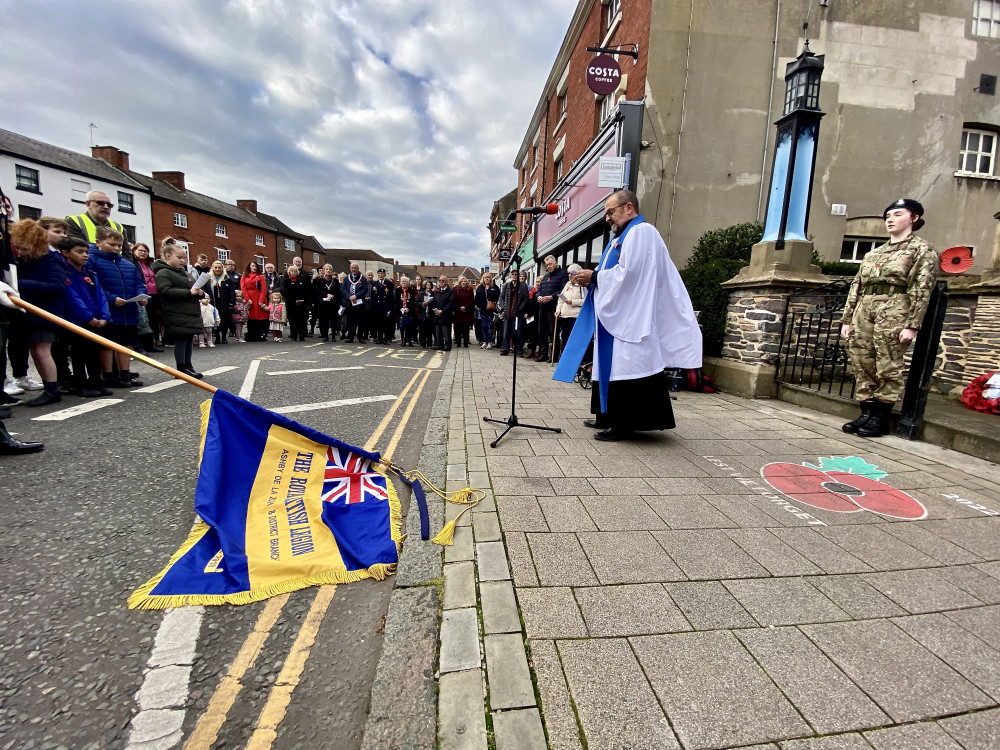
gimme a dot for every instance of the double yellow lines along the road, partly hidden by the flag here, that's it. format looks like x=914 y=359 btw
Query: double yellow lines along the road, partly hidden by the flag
x=207 y=730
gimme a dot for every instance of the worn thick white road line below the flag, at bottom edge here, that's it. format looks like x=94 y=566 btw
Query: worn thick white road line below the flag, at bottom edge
x=164 y=690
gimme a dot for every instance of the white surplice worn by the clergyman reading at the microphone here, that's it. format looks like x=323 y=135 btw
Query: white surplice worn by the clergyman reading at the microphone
x=644 y=305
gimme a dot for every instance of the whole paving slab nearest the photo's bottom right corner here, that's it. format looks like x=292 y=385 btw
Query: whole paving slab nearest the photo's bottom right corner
x=906 y=680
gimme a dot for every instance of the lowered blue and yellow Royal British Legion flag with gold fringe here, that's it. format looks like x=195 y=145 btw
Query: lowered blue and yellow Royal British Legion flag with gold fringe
x=280 y=507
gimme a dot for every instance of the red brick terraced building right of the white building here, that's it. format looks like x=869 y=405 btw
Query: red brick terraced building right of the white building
x=205 y=225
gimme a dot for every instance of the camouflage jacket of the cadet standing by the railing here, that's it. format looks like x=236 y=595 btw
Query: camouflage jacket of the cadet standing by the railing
x=912 y=263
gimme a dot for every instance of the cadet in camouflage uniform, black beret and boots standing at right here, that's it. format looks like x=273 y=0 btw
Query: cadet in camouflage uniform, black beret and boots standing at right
x=884 y=310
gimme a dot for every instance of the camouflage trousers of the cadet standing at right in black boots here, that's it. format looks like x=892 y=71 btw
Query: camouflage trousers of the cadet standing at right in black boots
x=874 y=349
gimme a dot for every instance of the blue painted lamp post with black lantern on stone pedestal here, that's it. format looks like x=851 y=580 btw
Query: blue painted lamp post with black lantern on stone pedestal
x=795 y=152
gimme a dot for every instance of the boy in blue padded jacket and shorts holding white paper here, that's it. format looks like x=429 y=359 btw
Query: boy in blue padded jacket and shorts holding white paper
x=121 y=281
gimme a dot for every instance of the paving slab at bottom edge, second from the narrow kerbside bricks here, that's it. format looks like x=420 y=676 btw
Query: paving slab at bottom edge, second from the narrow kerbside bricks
x=616 y=706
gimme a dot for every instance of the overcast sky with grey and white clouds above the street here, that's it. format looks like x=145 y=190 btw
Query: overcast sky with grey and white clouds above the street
x=383 y=124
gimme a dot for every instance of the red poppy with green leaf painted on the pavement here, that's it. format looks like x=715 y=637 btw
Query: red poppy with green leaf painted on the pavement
x=843 y=484
